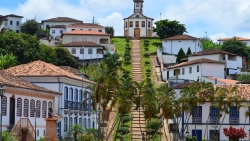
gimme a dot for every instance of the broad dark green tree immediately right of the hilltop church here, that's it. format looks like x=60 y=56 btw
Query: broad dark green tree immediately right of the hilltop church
x=166 y=28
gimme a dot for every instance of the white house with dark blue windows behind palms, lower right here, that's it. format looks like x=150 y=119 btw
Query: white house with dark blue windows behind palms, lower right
x=211 y=128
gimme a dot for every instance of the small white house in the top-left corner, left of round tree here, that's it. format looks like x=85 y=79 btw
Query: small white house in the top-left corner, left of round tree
x=11 y=21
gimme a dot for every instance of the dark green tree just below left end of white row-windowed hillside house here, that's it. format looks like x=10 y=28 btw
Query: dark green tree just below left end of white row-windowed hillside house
x=64 y=57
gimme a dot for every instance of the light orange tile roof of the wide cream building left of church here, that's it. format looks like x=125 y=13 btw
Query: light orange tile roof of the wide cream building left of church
x=86 y=32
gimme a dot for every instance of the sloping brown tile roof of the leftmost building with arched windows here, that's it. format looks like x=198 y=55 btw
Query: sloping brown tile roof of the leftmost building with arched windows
x=11 y=80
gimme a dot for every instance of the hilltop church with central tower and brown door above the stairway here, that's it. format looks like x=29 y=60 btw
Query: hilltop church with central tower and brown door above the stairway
x=138 y=25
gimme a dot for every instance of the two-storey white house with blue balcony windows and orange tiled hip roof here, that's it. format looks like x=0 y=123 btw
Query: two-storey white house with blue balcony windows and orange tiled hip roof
x=68 y=107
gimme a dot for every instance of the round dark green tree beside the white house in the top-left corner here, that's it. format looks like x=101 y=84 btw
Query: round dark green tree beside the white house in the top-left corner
x=30 y=27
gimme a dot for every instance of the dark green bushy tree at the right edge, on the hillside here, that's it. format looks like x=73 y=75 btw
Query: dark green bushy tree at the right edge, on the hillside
x=236 y=47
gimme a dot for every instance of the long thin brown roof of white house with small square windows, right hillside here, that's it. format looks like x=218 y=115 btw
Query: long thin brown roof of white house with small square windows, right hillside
x=197 y=61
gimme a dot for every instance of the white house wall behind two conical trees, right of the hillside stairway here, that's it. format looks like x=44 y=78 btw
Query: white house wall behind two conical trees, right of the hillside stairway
x=173 y=46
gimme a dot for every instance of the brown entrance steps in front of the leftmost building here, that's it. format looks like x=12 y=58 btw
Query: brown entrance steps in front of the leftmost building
x=24 y=130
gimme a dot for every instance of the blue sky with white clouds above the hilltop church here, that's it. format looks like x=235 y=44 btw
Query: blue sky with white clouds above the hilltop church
x=219 y=18
